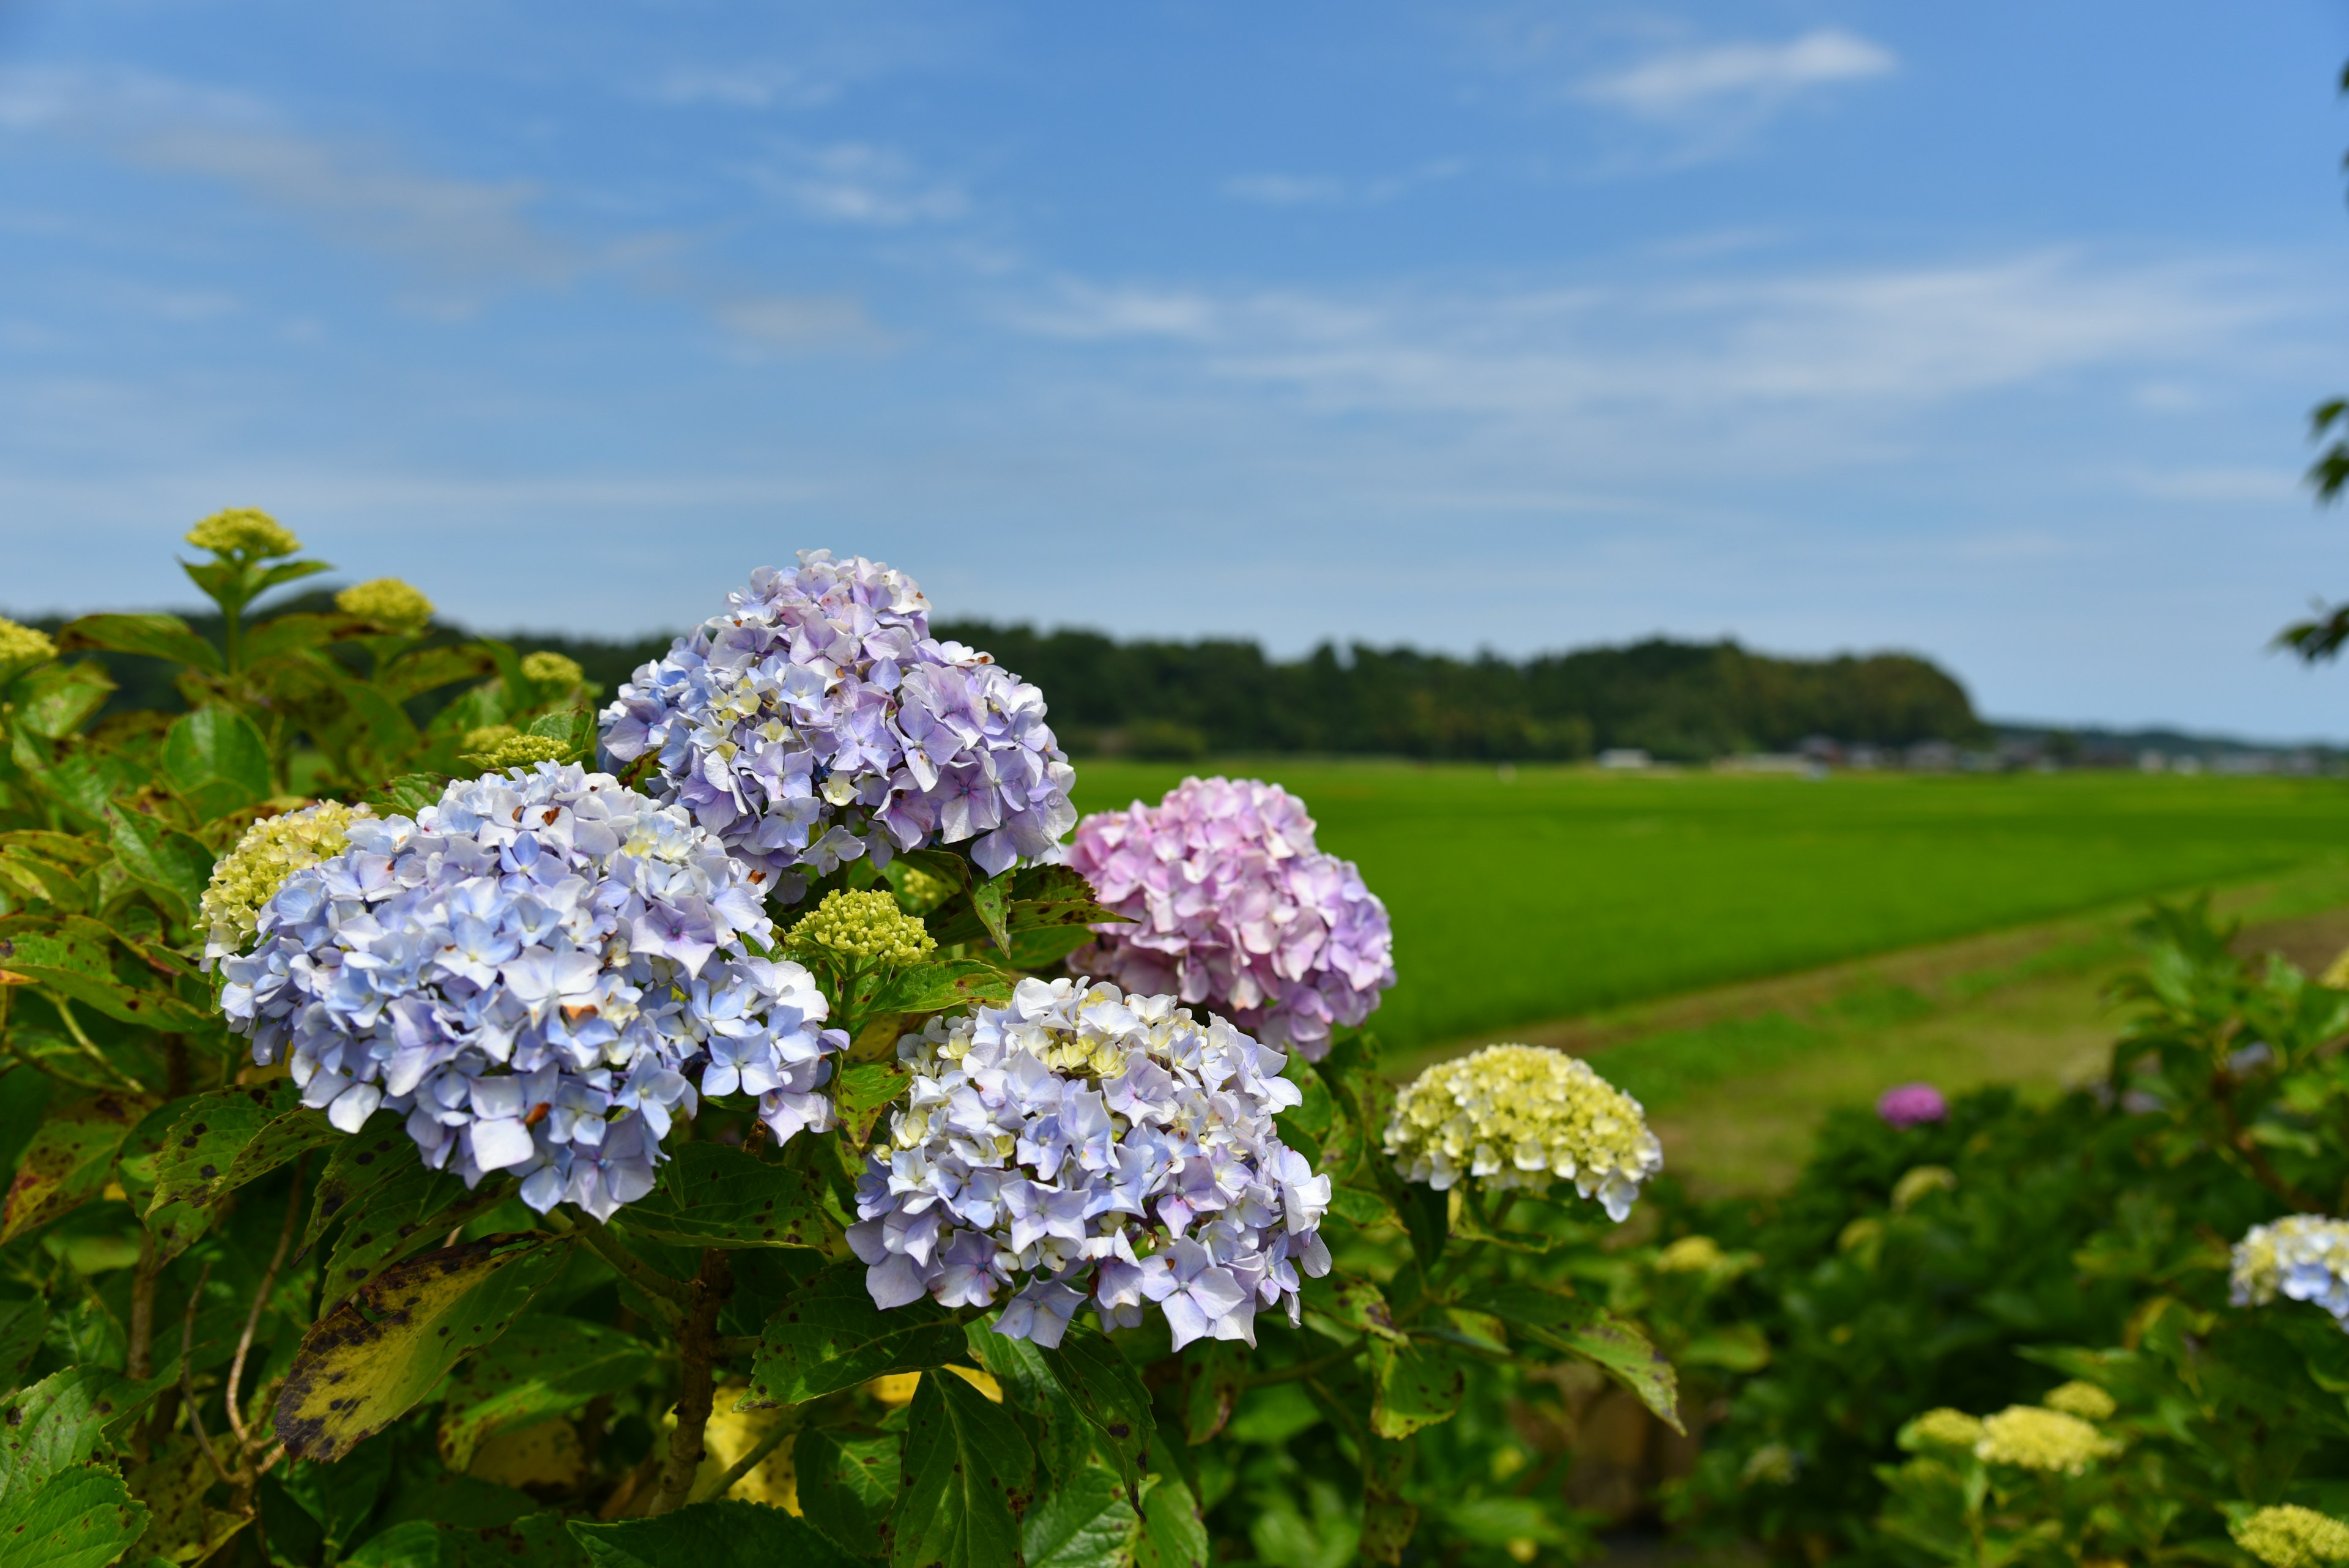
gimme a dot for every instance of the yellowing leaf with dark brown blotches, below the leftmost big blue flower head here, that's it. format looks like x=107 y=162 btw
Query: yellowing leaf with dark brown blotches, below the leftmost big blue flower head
x=375 y=1358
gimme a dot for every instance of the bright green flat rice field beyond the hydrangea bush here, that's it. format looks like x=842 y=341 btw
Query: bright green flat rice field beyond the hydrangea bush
x=1556 y=892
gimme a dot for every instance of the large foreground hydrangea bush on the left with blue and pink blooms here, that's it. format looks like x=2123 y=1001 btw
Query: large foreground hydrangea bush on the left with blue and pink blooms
x=457 y=1125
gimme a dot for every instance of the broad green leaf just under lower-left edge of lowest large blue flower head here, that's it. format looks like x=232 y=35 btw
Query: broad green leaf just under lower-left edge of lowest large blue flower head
x=828 y=1336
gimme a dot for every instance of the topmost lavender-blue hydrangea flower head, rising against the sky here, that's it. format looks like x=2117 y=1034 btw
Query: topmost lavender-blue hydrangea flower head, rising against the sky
x=819 y=721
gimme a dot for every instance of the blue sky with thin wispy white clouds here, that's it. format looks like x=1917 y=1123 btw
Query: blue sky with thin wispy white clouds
x=1972 y=330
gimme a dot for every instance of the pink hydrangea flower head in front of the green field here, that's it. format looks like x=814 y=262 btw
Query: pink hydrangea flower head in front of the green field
x=1237 y=909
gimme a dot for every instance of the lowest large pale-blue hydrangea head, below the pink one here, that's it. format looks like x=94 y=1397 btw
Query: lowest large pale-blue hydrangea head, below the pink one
x=1089 y=1144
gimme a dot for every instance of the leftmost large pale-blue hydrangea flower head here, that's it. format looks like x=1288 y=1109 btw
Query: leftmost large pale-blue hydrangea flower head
x=527 y=970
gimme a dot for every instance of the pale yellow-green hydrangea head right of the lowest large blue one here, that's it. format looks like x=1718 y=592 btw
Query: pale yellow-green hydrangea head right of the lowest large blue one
x=1523 y=1118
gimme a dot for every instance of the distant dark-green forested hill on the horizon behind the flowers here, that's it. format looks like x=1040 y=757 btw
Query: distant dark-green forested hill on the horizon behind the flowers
x=1180 y=699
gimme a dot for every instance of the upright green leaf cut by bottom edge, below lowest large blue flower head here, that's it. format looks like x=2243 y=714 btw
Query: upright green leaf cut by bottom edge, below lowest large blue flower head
x=969 y=1477
